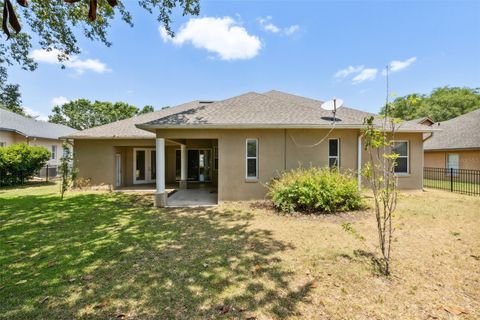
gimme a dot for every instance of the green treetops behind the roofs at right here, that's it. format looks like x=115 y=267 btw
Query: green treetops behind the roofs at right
x=442 y=104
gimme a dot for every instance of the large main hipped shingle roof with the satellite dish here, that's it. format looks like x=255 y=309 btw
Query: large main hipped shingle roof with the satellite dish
x=272 y=109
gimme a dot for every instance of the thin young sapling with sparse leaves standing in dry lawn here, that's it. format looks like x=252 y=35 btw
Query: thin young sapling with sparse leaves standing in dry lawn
x=380 y=173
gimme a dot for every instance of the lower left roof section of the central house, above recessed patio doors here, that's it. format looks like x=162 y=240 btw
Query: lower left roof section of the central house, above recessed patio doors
x=126 y=129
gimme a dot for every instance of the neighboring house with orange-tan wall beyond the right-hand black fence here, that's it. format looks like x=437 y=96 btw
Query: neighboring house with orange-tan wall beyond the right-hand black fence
x=457 y=145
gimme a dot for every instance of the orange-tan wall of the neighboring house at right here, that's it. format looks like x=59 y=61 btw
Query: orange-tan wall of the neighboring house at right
x=469 y=159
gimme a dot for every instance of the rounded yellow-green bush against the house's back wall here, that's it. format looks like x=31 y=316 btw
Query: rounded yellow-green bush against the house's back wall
x=315 y=190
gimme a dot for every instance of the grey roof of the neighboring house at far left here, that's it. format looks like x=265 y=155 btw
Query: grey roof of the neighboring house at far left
x=29 y=127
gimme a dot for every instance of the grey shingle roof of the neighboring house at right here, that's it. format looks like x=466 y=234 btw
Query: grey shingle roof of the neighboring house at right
x=462 y=132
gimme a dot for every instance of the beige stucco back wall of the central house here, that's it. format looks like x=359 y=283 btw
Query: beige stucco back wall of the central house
x=279 y=149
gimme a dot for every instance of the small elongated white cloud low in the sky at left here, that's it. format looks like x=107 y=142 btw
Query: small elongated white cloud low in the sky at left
x=74 y=62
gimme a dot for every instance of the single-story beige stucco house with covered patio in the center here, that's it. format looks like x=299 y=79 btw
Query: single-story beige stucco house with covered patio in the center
x=234 y=145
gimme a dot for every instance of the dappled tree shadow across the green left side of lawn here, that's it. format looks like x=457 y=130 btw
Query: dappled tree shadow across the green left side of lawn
x=108 y=255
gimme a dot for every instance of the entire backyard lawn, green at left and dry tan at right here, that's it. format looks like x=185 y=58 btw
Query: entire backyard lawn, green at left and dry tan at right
x=100 y=255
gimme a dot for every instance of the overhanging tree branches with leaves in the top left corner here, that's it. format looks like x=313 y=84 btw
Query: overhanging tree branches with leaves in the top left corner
x=56 y=25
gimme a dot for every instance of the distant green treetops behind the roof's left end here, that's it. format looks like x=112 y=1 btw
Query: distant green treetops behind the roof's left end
x=83 y=114
